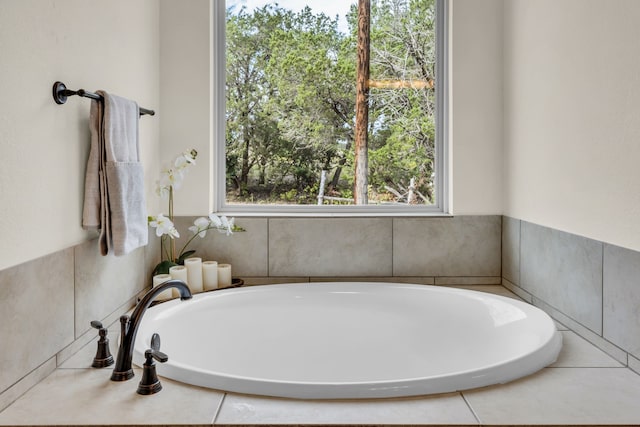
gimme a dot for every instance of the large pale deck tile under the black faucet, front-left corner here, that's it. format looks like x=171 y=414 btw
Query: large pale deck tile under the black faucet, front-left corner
x=107 y=402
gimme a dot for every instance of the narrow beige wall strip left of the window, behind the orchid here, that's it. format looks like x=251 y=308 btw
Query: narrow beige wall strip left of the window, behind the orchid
x=185 y=64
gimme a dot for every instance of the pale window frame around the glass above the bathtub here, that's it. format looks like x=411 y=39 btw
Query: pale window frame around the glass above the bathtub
x=441 y=179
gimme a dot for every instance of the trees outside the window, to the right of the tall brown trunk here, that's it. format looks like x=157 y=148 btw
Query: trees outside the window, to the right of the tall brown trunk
x=403 y=52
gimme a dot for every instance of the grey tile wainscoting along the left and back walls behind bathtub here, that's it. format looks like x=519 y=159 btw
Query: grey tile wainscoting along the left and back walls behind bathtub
x=46 y=304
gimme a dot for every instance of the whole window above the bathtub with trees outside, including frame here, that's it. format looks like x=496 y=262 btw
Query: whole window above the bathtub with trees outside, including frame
x=286 y=116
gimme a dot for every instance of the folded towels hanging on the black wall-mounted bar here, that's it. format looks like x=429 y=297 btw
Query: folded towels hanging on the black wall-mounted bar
x=114 y=184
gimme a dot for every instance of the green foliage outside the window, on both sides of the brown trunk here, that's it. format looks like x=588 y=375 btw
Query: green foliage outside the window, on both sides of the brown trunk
x=291 y=101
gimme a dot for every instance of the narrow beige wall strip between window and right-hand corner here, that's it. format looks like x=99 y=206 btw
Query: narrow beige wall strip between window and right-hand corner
x=476 y=105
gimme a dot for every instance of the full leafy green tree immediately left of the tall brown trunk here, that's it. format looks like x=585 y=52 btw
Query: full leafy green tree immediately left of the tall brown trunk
x=311 y=72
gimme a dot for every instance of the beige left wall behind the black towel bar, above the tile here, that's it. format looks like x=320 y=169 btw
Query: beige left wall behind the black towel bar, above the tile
x=87 y=44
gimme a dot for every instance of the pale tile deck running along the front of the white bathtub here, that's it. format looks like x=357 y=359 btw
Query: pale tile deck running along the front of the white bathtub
x=585 y=386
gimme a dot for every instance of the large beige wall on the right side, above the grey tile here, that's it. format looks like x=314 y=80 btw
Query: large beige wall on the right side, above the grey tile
x=572 y=116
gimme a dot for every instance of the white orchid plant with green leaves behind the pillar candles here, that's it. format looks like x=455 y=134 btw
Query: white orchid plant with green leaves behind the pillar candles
x=170 y=180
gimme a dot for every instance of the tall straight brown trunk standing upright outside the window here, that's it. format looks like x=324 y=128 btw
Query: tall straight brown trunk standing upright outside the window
x=362 y=104
